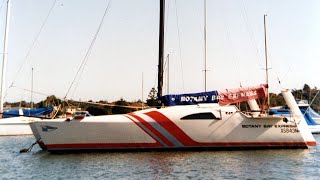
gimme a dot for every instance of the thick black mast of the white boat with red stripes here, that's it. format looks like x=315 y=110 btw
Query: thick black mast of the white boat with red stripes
x=161 y=48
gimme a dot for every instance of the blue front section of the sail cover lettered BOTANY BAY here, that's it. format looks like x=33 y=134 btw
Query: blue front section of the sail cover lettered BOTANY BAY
x=190 y=99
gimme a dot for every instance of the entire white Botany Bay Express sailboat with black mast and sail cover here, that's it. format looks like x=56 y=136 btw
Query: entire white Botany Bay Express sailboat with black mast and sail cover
x=216 y=125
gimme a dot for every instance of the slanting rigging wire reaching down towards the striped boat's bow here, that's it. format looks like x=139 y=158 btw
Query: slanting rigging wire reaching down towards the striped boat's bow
x=85 y=59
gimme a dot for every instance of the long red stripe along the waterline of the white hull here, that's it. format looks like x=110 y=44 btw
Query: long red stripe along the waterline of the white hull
x=159 y=146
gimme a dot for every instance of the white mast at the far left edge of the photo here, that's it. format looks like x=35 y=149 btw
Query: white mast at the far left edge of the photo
x=4 y=57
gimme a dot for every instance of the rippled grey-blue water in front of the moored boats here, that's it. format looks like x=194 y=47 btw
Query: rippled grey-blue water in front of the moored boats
x=255 y=164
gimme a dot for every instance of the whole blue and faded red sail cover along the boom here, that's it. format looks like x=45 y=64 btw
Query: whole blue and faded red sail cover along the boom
x=227 y=96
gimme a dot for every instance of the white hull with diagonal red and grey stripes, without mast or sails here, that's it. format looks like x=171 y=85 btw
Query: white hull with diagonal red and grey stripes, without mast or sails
x=165 y=129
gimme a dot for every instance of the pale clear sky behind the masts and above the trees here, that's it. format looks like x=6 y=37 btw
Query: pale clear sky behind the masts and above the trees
x=123 y=60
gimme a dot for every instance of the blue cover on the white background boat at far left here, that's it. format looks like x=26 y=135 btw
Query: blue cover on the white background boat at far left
x=37 y=112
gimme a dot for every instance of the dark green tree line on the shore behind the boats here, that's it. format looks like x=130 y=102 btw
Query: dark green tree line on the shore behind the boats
x=122 y=106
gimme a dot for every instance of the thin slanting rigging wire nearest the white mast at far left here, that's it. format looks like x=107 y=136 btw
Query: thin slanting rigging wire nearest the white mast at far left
x=33 y=43
